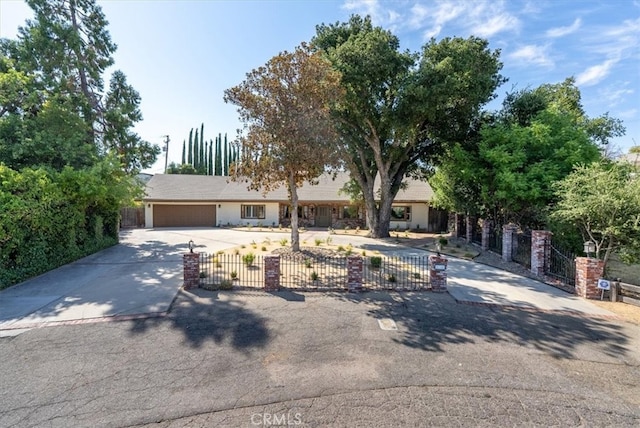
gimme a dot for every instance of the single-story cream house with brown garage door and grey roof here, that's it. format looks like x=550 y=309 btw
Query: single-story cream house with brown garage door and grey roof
x=174 y=200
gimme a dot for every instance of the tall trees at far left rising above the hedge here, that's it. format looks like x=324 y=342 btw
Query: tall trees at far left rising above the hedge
x=53 y=109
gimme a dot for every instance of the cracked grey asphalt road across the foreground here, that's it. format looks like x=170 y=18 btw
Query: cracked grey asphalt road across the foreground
x=294 y=359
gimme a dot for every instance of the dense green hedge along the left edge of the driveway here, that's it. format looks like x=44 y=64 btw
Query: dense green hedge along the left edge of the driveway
x=50 y=218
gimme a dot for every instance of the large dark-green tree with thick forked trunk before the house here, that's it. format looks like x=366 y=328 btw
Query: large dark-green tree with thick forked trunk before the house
x=401 y=109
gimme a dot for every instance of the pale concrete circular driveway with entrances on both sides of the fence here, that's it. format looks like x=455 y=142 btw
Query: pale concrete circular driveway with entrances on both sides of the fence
x=141 y=276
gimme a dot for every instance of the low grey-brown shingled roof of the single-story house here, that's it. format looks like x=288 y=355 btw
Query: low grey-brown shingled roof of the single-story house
x=207 y=188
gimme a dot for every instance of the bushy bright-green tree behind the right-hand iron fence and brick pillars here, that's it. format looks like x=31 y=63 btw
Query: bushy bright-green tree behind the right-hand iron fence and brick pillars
x=507 y=171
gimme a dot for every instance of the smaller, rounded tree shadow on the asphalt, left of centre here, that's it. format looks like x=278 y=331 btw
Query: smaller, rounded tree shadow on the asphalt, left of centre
x=201 y=316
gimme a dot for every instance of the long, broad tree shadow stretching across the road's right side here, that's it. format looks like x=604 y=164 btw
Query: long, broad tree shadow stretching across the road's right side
x=430 y=321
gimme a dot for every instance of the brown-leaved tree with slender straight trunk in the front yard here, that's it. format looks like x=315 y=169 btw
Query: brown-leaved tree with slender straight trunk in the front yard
x=288 y=137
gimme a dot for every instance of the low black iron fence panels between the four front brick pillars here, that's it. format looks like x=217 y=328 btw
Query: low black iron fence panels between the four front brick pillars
x=308 y=272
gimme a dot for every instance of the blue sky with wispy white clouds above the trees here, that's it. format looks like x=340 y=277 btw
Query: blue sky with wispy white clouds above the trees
x=182 y=55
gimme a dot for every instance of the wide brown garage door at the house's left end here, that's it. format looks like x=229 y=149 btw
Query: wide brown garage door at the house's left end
x=184 y=215
